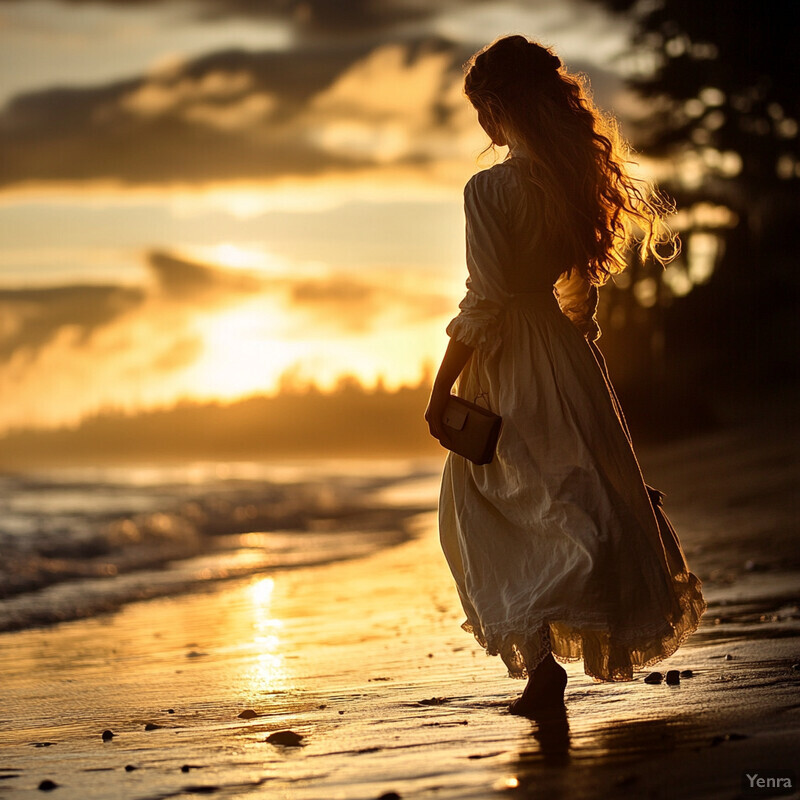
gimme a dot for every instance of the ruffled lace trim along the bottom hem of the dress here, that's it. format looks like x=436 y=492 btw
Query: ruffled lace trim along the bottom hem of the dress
x=607 y=655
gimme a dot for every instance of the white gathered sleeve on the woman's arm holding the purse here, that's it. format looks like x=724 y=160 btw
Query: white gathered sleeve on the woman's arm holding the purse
x=488 y=249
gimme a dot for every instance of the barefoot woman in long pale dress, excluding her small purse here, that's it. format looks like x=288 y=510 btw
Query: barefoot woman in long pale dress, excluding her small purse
x=557 y=546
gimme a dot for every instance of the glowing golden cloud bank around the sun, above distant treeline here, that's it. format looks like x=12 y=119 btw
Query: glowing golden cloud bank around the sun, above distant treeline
x=197 y=330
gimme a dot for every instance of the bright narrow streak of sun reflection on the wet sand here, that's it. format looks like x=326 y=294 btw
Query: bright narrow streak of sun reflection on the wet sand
x=269 y=672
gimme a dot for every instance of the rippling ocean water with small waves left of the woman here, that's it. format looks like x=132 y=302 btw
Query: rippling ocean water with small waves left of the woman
x=83 y=541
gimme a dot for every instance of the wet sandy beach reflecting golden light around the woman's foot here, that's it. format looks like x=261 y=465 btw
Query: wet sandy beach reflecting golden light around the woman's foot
x=366 y=661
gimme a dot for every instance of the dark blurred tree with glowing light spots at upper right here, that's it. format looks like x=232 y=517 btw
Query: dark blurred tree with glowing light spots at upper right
x=718 y=104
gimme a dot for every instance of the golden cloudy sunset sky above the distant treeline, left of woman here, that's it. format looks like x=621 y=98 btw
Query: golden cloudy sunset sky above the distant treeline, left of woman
x=212 y=199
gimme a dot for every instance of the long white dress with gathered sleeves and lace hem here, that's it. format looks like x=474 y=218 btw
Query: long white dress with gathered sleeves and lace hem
x=557 y=545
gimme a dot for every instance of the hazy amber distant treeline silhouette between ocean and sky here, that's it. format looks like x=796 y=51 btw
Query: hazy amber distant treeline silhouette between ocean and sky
x=351 y=421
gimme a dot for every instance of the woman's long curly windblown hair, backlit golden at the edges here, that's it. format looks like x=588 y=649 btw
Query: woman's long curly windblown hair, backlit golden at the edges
x=593 y=209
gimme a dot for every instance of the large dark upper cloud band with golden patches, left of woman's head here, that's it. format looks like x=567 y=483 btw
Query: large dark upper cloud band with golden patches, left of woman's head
x=242 y=115
